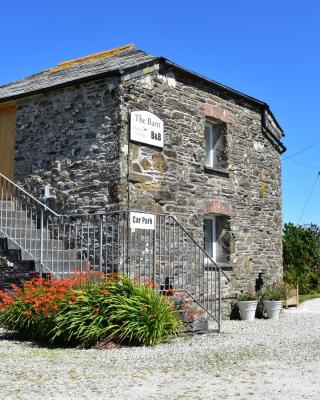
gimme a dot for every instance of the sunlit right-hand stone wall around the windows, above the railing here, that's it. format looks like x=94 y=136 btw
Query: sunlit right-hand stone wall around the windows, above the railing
x=174 y=180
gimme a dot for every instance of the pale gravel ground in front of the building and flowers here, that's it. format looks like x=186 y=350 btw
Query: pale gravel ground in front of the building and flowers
x=261 y=359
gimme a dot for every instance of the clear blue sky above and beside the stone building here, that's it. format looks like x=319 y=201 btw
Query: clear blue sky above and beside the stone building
x=269 y=50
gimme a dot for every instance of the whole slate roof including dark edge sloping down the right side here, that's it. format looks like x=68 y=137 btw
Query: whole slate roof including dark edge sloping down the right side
x=106 y=63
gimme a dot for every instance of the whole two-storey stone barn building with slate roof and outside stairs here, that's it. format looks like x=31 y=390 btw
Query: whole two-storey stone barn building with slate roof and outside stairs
x=120 y=140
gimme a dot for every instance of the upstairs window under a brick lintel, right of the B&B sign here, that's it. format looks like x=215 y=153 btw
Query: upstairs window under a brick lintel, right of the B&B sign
x=215 y=142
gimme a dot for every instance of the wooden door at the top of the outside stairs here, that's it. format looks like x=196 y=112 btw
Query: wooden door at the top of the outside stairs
x=7 y=141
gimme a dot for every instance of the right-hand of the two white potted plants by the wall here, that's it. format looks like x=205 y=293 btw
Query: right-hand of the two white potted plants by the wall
x=273 y=296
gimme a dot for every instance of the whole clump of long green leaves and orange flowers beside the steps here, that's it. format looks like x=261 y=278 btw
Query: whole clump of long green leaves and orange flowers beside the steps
x=88 y=308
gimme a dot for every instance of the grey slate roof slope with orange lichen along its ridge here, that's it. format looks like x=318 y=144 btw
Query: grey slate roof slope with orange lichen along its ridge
x=120 y=58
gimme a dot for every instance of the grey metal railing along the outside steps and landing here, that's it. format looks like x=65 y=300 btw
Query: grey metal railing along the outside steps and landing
x=167 y=257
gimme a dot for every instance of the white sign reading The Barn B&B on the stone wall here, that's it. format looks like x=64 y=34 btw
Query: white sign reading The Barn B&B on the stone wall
x=146 y=127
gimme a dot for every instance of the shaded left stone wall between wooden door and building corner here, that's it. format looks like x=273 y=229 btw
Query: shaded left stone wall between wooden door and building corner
x=68 y=138
